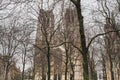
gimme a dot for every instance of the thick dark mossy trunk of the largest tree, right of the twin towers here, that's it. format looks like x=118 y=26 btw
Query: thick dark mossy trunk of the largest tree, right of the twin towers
x=82 y=39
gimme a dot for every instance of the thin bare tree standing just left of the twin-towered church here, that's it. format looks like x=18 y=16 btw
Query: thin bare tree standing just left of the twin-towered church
x=26 y=49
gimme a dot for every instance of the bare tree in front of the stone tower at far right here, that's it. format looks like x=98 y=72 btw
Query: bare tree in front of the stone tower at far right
x=111 y=39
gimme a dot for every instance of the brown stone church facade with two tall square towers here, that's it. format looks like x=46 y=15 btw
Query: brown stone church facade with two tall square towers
x=70 y=28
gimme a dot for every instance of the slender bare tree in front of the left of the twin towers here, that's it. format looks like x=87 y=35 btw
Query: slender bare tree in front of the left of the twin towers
x=45 y=35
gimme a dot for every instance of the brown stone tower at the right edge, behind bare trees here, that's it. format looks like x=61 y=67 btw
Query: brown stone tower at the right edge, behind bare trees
x=112 y=48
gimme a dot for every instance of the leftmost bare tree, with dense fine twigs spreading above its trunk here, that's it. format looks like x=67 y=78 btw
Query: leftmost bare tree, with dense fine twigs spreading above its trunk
x=9 y=46
